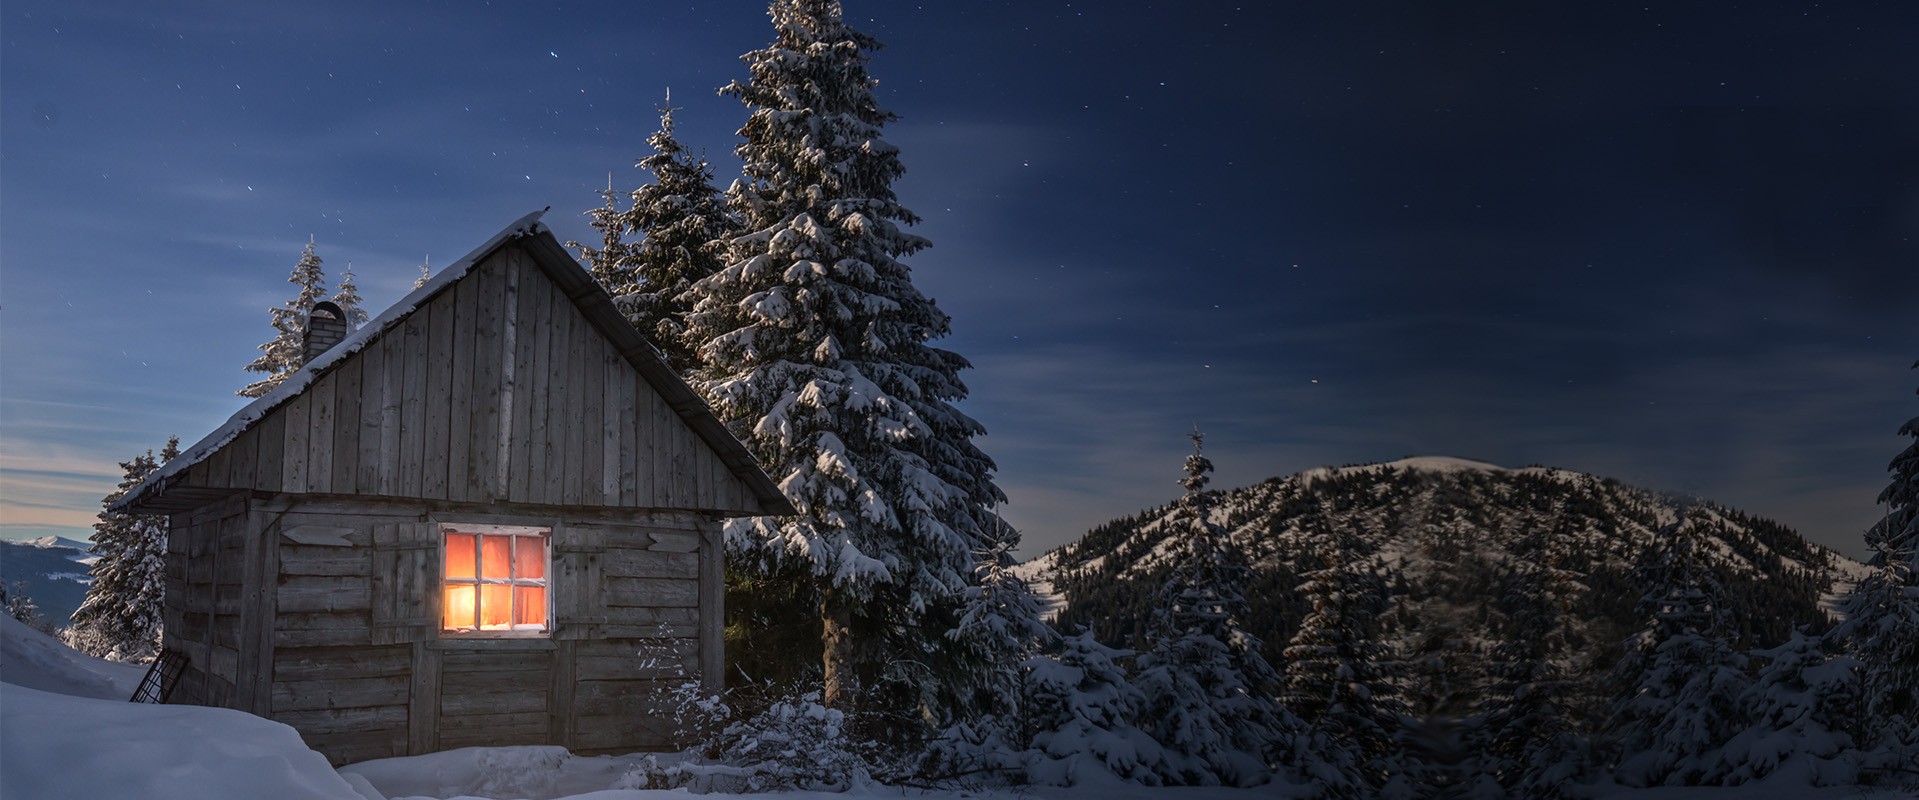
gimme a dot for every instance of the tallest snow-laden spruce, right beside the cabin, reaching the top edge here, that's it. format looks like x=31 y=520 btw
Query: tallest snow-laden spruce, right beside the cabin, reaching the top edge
x=815 y=350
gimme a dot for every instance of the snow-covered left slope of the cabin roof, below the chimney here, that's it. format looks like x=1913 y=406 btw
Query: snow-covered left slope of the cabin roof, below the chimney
x=298 y=383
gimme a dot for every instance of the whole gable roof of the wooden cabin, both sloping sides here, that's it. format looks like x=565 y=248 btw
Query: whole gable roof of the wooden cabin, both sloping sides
x=164 y=492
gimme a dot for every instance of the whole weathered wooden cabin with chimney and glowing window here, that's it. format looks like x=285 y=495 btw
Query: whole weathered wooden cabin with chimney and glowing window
x=462 y=525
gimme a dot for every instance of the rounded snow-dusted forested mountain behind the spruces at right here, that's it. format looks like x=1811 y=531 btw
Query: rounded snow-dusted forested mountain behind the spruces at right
x=1442 y=529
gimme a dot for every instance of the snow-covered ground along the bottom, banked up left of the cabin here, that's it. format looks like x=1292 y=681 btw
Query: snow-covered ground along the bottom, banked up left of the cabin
x=66 y=732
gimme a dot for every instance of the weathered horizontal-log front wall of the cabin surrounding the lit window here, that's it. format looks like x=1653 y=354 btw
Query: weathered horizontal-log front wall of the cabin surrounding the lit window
x=636 y=603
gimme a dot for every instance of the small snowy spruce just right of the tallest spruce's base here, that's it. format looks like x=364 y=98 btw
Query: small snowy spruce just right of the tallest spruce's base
x=1003 y=630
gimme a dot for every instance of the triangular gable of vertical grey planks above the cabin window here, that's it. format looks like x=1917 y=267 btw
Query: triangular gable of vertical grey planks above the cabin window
x=498 y=390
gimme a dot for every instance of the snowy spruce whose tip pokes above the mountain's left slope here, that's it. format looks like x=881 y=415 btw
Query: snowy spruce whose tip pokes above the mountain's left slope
x=1210 y=695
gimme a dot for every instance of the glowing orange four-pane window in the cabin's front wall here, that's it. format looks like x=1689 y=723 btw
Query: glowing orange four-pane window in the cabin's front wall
x=496 y=580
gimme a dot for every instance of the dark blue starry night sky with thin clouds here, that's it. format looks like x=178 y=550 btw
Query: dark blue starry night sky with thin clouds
x=1674 y=245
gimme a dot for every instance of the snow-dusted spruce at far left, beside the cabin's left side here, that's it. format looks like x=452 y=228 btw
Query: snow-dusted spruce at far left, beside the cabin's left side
x=122 y=613
